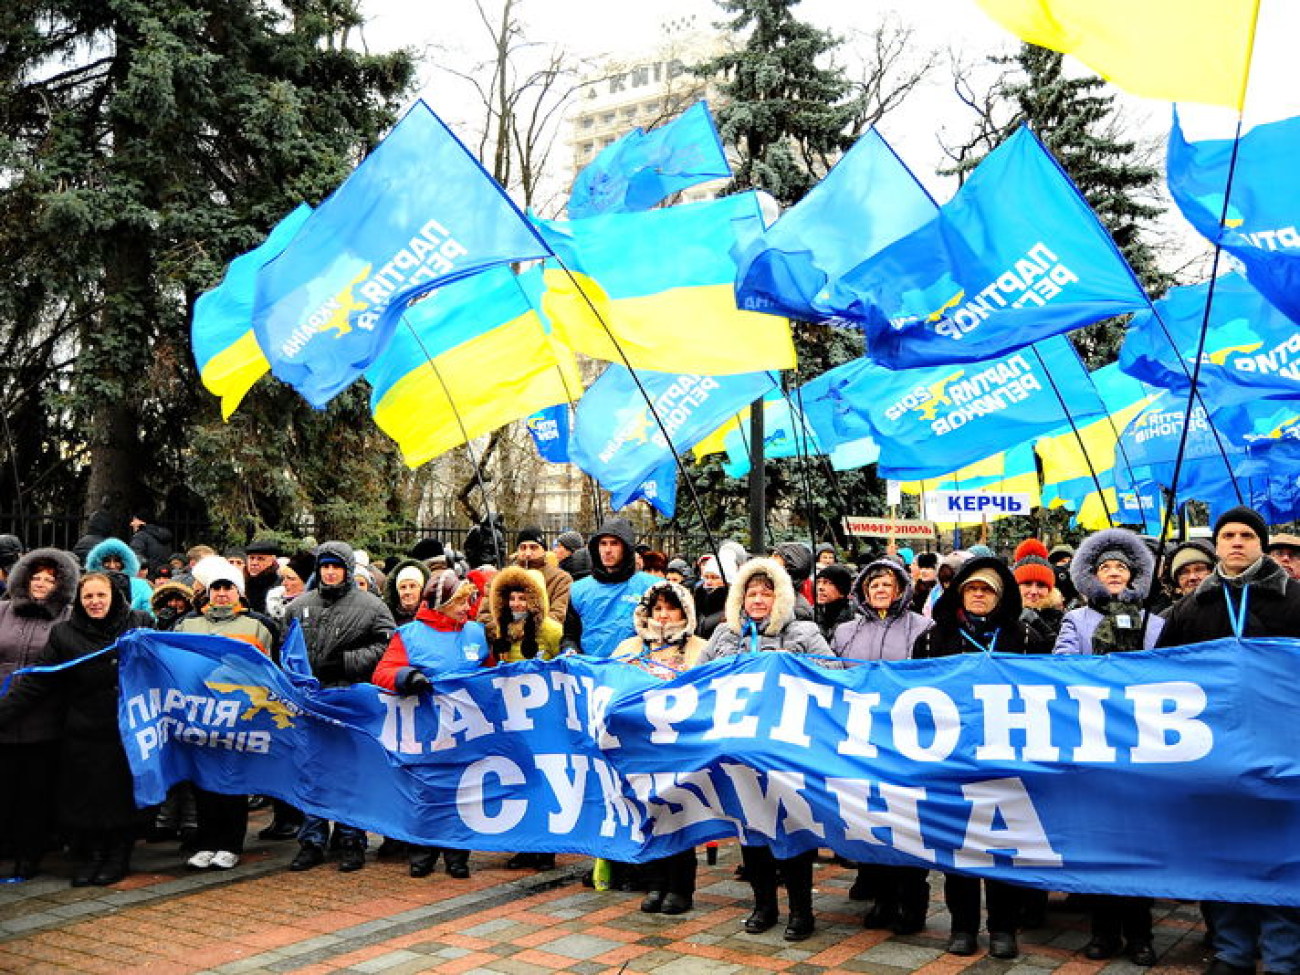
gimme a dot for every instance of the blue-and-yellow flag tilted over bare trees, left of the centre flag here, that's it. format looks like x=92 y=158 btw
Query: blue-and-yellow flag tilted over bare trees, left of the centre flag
x=470 y=358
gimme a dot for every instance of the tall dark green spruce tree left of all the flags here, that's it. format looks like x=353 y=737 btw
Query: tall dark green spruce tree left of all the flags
x=145 y=144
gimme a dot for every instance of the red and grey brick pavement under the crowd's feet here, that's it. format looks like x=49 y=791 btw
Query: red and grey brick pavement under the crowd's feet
x=261 y=918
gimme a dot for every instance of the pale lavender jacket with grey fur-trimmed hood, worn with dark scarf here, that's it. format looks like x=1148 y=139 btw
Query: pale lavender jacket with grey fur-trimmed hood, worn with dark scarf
x=1080 y=627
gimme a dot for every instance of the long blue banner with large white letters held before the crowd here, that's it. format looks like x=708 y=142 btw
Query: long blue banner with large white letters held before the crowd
x=1171 y=773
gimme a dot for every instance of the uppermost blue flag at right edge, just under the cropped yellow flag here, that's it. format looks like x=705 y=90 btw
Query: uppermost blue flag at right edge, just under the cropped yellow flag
x=1262 y=218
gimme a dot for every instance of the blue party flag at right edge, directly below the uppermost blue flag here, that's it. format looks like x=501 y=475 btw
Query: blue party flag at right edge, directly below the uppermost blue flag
x=1251 y=349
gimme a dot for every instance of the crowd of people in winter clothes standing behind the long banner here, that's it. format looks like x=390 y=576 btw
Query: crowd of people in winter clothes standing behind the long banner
x=441 y=613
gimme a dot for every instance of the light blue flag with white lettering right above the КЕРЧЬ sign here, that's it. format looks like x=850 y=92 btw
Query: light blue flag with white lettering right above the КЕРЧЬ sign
x=937 y=421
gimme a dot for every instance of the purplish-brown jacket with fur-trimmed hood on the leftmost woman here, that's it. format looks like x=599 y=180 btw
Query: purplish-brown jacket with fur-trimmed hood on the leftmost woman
x=25 y=626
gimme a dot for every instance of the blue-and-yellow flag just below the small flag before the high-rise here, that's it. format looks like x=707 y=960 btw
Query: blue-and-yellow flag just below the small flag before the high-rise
x=658 y=288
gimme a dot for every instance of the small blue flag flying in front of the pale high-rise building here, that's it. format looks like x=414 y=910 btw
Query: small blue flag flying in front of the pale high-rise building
x=643 y=168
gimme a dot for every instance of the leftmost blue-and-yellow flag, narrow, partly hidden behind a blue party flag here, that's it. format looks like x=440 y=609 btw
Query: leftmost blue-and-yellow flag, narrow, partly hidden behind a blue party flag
x=226 y=348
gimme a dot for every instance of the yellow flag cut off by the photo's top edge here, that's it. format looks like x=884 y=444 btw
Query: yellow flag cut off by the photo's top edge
x=1173 y=50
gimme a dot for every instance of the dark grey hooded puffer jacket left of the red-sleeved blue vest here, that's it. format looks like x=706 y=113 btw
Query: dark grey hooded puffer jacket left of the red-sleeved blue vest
x=346 y=630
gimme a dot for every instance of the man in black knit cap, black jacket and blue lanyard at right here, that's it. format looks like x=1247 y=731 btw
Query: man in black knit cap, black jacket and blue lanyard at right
x=1249 y=595
